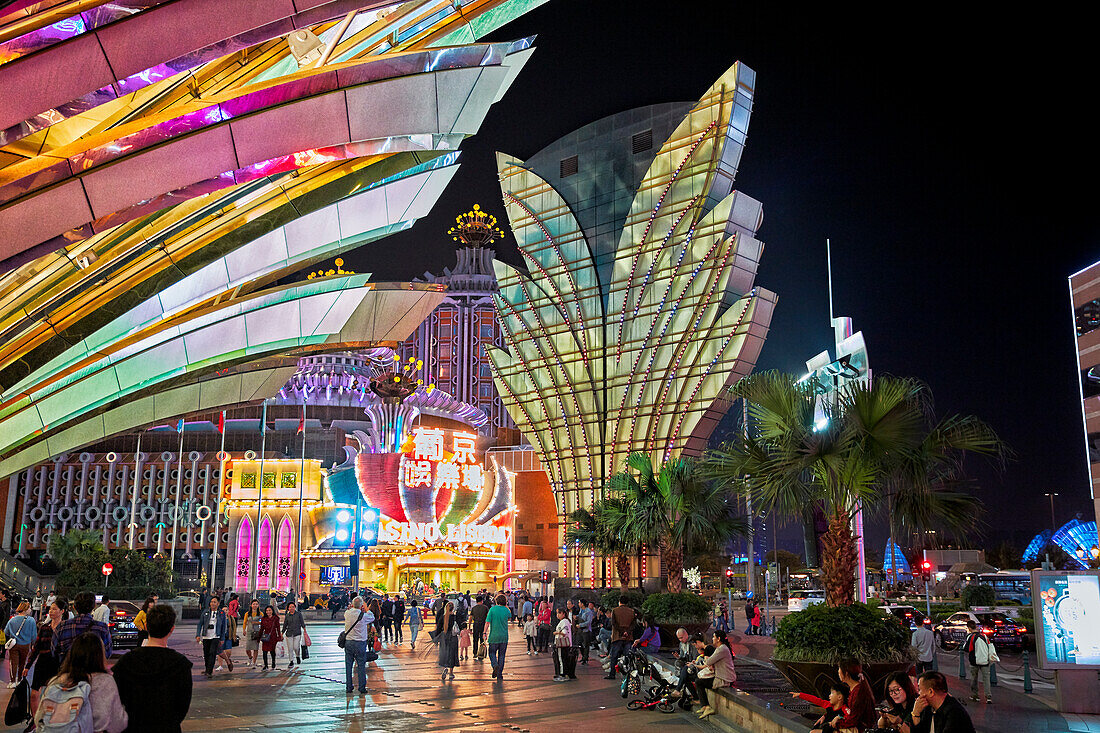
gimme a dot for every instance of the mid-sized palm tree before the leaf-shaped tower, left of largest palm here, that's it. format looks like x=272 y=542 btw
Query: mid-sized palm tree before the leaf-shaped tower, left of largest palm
x=673 y=510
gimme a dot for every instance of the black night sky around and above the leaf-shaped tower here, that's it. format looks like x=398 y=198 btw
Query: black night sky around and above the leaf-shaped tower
x=950 y=159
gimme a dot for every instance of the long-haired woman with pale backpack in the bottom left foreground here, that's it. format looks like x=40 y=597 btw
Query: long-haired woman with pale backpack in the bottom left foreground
x=84 y=676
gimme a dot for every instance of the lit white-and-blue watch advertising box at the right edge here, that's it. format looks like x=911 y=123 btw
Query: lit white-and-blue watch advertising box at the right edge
x=1068 y=618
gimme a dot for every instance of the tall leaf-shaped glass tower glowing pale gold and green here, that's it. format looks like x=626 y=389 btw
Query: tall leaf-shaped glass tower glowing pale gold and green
x=636 y=307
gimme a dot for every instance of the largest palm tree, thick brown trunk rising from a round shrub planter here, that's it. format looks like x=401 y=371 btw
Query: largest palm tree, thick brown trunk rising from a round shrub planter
x=881 y=442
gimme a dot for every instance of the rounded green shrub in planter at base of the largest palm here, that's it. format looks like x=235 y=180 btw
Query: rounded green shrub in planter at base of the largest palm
x=828 y=634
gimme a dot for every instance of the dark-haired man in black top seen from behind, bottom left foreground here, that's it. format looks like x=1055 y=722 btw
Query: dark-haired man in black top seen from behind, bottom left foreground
x=155 y=682
